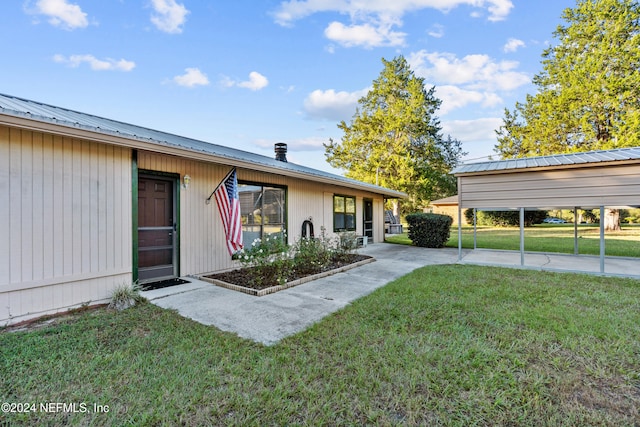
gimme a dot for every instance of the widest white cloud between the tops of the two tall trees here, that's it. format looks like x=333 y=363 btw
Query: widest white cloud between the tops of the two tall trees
x=478 y=72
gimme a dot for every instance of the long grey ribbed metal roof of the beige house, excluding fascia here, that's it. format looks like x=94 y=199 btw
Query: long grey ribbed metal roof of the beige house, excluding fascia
x=19 y=107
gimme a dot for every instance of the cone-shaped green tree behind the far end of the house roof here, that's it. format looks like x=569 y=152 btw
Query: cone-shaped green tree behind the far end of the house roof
x=394 y=139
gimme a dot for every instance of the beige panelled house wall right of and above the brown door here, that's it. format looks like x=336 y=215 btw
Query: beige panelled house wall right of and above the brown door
x=202 y=248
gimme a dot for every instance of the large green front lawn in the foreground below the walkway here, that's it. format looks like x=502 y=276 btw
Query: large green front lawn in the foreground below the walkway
x=444 y=345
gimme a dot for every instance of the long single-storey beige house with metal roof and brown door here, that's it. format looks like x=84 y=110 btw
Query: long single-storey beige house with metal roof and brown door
x=91 y=203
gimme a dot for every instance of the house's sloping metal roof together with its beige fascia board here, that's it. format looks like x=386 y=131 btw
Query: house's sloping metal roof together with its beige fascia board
x=41 y=117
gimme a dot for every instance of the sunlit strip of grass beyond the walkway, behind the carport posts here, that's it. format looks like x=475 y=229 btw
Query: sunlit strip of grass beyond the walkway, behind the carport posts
x=545 y=238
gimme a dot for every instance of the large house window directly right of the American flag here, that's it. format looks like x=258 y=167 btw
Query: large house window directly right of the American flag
x=263 y=211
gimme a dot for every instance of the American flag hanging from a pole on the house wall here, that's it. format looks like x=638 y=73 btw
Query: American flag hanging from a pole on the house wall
x=229 y=207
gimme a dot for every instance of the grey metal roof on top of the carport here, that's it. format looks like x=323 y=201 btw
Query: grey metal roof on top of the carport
x=558 y=160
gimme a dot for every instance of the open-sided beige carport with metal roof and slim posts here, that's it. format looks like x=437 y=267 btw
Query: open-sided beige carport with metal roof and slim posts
x=590 y=180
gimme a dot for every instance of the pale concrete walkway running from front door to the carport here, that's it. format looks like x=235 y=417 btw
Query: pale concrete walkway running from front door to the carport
x=270 y=318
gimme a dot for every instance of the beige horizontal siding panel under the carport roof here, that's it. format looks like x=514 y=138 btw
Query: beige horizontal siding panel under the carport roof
x=587 y=187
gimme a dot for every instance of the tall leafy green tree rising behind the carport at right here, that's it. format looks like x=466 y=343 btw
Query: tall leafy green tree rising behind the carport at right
x=588 y=94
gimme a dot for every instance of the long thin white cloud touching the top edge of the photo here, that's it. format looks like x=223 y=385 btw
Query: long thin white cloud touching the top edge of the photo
x=292 y=10
